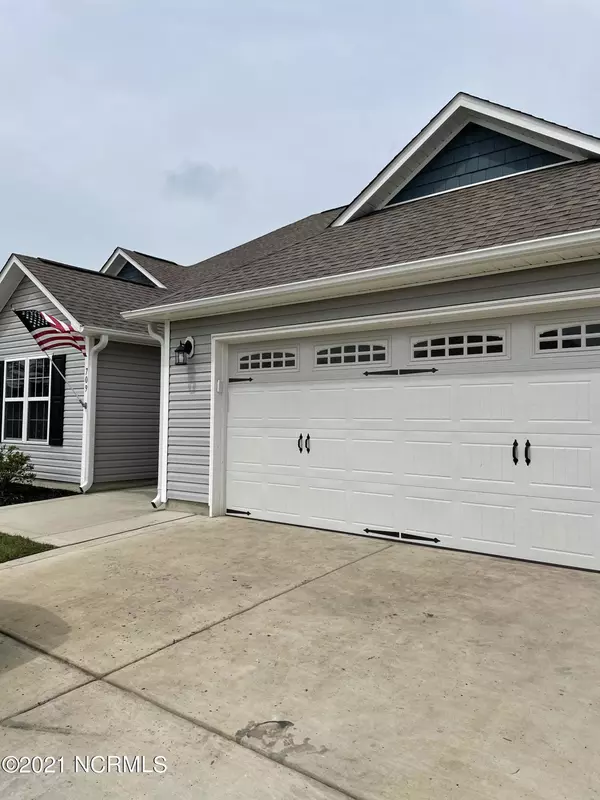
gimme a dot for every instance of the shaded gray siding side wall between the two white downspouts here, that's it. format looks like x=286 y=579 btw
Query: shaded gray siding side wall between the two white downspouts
x=127 y=413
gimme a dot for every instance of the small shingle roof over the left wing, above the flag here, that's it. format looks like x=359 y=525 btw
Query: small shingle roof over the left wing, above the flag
x=93 y=299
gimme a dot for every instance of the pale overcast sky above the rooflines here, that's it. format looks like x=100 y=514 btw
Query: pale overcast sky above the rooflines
x=182 y=128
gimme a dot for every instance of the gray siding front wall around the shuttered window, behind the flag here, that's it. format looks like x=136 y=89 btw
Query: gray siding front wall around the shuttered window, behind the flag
x=50 y=463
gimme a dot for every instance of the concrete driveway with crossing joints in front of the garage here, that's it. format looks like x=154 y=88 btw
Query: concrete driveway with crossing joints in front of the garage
x=263 y=661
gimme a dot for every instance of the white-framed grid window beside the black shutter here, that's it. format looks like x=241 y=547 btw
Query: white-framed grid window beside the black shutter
x=26 y=400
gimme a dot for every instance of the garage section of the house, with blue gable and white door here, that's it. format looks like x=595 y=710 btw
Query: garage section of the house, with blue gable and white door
x=422 y=364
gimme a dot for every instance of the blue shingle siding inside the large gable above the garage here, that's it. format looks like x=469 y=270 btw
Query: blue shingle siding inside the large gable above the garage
x=475 y=154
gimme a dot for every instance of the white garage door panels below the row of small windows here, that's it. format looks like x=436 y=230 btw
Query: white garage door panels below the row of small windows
x=427 y=456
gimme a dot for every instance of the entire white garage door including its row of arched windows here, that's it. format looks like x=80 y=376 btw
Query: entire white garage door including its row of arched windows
x=477 y=442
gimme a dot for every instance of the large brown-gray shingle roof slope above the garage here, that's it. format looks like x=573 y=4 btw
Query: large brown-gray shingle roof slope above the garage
x=559 y=199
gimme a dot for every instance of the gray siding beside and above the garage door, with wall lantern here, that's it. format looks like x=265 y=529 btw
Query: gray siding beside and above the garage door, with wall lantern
x=189 y=393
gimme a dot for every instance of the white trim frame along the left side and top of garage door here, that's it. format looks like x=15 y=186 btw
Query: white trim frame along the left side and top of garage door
x=220 y=343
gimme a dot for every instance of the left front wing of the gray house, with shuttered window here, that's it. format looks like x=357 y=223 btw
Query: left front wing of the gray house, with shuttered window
x=100 y=427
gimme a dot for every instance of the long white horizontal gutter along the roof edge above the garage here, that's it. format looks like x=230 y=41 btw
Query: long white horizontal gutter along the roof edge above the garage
x=500 y=258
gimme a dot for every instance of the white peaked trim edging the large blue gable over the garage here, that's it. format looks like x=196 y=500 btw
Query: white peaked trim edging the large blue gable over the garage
x=462 y=109
